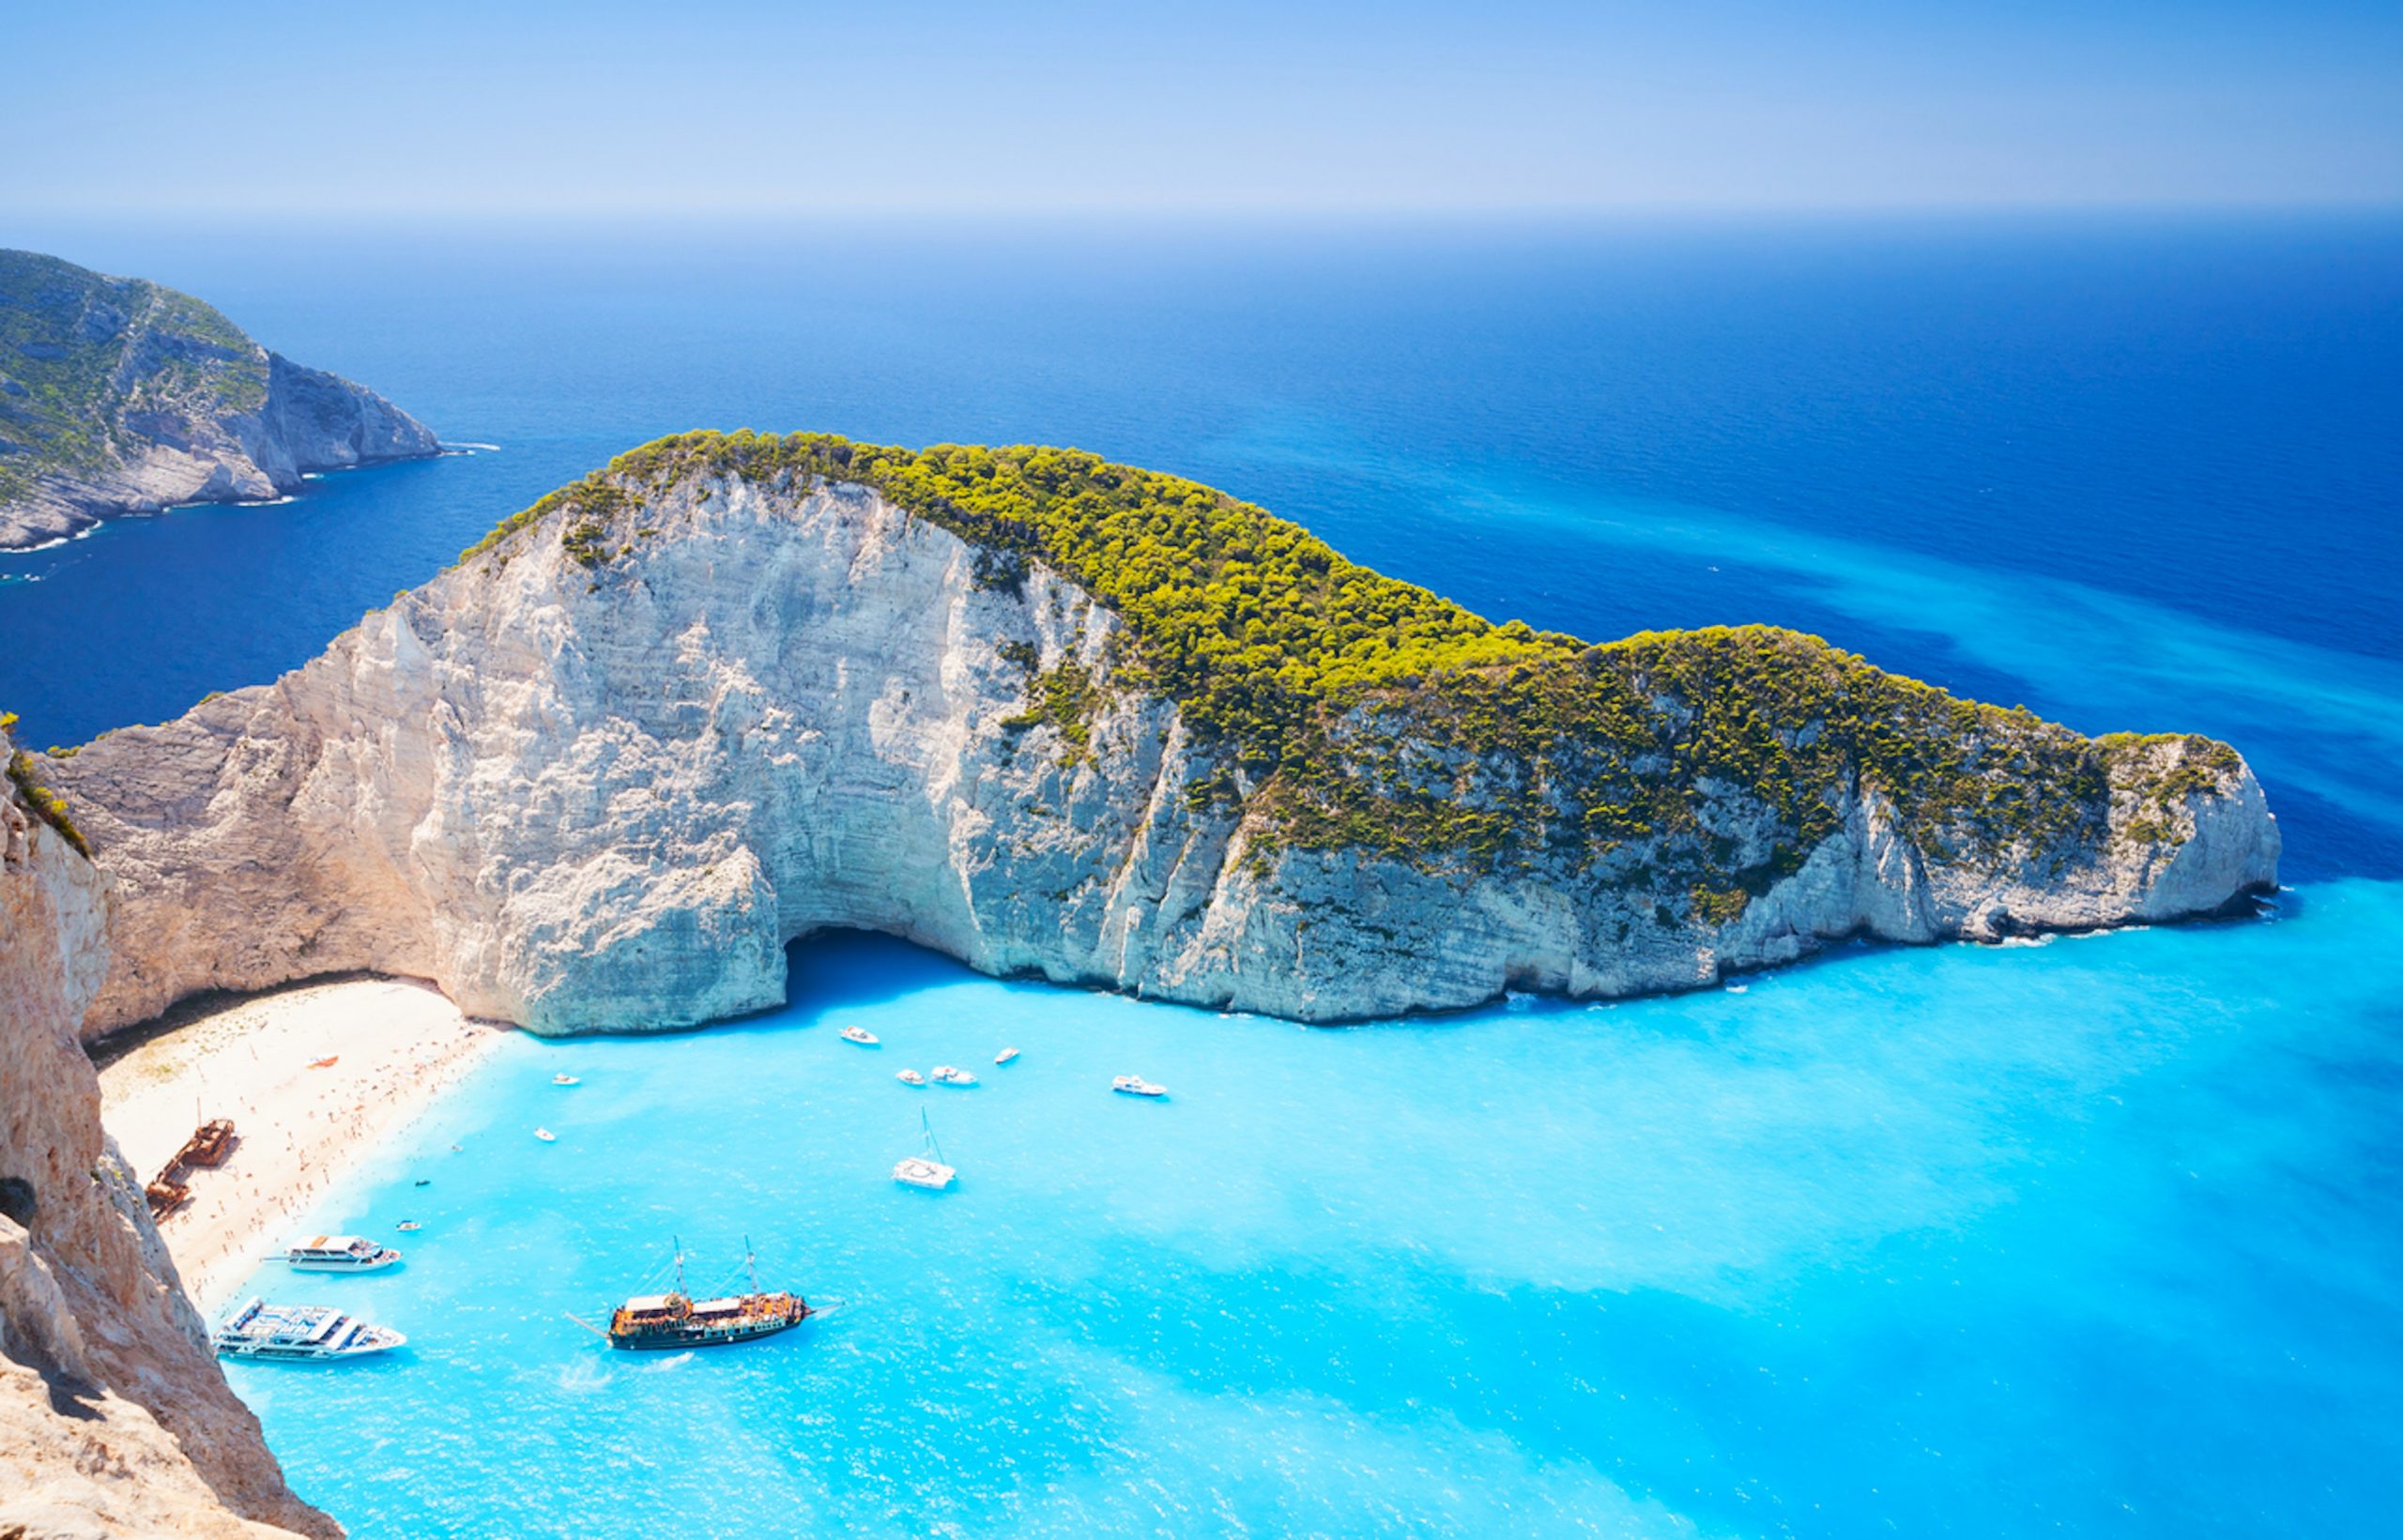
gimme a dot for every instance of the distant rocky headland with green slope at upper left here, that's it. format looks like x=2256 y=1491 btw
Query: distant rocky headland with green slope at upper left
x=119 y=398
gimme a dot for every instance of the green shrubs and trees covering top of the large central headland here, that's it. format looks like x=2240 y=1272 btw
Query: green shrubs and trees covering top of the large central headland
x=1364 y=712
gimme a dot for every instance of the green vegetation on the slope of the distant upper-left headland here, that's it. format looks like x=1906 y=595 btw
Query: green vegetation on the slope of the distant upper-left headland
x=83 y=352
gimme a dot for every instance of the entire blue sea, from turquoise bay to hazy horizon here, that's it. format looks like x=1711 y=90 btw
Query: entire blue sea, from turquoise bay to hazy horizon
x=2097 y=1238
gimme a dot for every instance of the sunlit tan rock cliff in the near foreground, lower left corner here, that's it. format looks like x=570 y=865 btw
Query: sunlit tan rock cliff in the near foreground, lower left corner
x=114 y=1419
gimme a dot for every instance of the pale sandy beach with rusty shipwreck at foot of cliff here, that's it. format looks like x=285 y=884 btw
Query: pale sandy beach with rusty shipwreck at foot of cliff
x=398 y=1046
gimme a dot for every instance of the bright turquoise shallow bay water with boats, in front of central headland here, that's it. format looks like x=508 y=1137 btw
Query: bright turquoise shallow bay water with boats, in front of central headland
x=1914 y=1241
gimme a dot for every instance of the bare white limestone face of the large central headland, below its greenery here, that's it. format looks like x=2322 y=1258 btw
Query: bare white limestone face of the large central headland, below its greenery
x=604 y=801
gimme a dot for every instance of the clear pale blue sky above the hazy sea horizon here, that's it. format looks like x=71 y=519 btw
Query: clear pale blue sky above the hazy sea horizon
x=595 y=107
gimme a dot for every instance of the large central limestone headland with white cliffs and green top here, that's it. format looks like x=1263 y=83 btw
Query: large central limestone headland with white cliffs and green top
x=732 y=693
